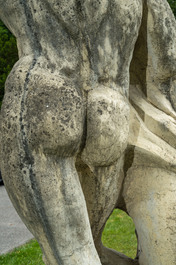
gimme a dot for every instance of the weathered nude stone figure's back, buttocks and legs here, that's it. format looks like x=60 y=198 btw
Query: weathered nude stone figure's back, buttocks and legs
x=70 y=93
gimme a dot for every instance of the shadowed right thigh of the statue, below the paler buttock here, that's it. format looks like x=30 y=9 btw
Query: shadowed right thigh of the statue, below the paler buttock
x=102 y=187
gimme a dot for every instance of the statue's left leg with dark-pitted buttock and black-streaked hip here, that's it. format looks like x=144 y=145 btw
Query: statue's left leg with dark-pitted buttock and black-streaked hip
x=41 y=130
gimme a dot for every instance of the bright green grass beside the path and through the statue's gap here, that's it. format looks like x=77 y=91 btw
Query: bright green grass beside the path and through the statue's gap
x=118 y=234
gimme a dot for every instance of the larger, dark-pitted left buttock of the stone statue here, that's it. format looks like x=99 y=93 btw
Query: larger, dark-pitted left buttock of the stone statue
x=55 y=112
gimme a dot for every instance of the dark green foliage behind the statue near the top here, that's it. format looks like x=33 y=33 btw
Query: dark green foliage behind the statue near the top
x=9 y=53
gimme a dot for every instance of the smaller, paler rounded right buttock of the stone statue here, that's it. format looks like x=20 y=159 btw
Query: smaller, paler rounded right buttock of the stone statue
x=107 y=126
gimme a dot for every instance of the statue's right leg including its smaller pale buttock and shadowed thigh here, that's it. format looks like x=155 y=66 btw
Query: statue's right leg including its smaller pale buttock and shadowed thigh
x=100 y=166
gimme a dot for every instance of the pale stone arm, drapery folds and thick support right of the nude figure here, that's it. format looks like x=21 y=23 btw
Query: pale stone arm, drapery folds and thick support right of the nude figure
x=149 y=186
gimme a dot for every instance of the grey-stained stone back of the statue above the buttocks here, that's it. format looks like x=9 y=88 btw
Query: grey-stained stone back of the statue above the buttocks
x=95 y=38
